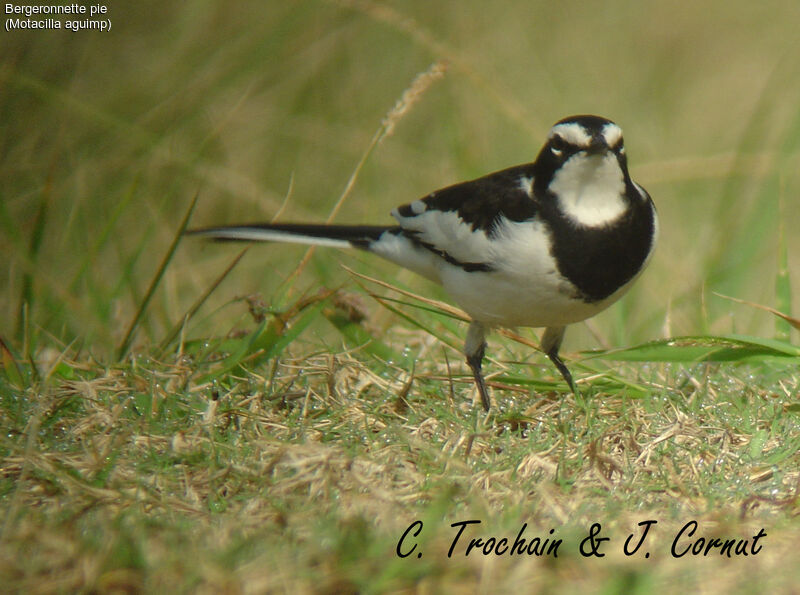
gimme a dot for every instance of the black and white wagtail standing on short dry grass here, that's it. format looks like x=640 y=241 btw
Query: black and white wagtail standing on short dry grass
x=545 y=244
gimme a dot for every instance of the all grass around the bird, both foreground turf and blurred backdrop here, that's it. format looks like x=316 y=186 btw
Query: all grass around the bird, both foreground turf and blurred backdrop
x=179 y=416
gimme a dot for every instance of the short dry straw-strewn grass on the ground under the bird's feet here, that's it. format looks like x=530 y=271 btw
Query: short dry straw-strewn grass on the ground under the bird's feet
x=304 y=481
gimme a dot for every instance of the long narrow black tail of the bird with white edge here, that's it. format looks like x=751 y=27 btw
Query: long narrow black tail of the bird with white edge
x=336 y=236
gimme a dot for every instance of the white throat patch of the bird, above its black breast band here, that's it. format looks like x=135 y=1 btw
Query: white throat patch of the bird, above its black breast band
x=590 y=189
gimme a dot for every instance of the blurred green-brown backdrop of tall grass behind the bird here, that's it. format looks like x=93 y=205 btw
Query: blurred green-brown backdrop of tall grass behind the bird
x=106 y=137
